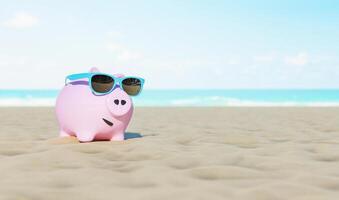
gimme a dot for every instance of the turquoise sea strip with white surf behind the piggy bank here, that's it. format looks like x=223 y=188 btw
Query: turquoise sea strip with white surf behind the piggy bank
x=192 y=98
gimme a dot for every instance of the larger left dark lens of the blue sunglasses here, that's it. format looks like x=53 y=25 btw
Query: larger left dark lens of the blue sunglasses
x=102 y=83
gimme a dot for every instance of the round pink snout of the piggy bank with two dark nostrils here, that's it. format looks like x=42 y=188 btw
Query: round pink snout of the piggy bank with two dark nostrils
x=119 y=103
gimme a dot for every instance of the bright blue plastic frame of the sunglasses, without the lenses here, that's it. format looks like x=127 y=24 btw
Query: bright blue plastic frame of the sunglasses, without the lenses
x=117 y=80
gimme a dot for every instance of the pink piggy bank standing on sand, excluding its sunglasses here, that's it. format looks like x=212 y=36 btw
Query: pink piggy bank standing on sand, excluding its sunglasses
x=89 y=116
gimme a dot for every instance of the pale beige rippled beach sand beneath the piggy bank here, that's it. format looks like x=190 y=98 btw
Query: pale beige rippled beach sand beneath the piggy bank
x=184 y=153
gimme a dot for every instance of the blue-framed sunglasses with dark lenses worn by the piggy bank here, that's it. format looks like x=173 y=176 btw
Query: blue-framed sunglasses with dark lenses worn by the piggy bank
x=102 y=84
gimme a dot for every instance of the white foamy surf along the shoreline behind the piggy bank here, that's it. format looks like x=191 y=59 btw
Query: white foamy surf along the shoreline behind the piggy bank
x=211 y=101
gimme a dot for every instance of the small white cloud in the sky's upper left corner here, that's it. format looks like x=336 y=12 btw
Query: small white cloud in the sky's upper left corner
x=21 y=20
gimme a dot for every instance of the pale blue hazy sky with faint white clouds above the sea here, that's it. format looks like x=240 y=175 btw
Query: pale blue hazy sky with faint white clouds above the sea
x=187 y=44
